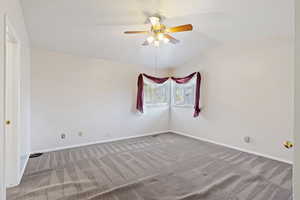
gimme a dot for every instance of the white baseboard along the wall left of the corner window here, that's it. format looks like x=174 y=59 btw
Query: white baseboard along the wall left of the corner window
x=98 y=142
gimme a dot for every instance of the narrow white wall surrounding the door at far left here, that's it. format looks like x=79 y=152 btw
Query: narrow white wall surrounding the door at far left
x=13 y=9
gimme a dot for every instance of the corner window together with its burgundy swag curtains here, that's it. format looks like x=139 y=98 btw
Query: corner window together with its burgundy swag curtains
x=153 y=91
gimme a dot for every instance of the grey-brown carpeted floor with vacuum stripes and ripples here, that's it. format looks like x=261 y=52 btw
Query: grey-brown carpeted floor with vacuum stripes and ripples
x=164 y=167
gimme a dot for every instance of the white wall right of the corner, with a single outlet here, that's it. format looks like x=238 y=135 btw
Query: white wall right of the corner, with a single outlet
x=247 y=90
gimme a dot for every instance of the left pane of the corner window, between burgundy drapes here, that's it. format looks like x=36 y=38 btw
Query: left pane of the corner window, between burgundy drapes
x=156 y=94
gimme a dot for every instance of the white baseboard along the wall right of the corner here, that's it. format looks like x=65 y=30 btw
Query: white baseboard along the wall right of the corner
x=232 y=147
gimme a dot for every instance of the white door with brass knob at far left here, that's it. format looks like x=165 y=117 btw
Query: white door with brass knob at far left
x=12 y=107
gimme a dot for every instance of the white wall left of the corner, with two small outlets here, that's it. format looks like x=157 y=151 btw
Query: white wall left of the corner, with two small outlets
x=97 y=97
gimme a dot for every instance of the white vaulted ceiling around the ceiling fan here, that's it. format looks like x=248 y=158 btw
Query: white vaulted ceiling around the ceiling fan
x=94 y=28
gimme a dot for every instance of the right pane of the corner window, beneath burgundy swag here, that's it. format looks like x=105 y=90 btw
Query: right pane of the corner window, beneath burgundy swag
x=184 y=94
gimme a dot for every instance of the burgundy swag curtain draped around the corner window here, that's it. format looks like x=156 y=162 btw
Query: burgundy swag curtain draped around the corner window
x=140 y=92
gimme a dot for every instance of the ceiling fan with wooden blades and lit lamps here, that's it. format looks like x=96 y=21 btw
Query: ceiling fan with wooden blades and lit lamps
x=160 y=33
